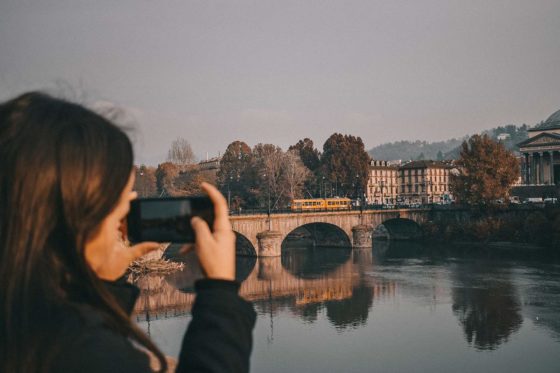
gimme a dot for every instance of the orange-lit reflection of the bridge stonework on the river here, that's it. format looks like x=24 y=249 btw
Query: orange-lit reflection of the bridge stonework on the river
x=269 y=279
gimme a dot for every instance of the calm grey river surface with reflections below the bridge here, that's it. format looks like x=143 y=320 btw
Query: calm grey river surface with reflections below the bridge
x=403 y=310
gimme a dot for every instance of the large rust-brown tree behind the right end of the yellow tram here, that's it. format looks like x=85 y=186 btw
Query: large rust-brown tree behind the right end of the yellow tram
x=345 y=162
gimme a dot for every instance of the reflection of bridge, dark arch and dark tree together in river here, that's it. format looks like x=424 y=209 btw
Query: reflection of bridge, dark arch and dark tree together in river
x=305 y=281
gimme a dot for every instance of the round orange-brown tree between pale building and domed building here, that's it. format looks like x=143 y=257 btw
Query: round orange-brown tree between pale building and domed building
x=486 y=171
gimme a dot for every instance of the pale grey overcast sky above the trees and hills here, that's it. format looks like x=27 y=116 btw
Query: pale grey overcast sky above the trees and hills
x=278 y=71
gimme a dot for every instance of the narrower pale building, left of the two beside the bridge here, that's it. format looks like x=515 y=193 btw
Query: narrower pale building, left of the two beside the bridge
x=383 y=183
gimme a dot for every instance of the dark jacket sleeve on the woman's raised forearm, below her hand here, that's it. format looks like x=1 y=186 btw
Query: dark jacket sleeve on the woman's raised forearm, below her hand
x=219 y=336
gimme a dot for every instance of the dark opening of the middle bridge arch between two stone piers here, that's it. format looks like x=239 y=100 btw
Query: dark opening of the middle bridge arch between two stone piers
x=317 y=234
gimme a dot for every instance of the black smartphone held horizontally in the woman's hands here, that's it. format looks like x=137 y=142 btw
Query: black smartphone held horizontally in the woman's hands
x=167 y=219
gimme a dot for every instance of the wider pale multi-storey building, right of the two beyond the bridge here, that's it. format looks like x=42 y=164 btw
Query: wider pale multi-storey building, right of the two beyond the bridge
x=424 y=182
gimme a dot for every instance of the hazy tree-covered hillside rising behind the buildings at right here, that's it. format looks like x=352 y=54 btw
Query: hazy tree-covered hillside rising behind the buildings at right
x=449 y=149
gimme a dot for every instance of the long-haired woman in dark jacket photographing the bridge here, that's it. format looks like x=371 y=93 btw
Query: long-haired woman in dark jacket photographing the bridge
x=65 y=185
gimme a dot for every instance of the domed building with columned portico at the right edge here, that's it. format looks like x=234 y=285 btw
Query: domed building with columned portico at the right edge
x=542 y=153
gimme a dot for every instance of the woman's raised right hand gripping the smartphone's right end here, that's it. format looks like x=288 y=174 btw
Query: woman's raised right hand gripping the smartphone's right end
x=215 y=250
